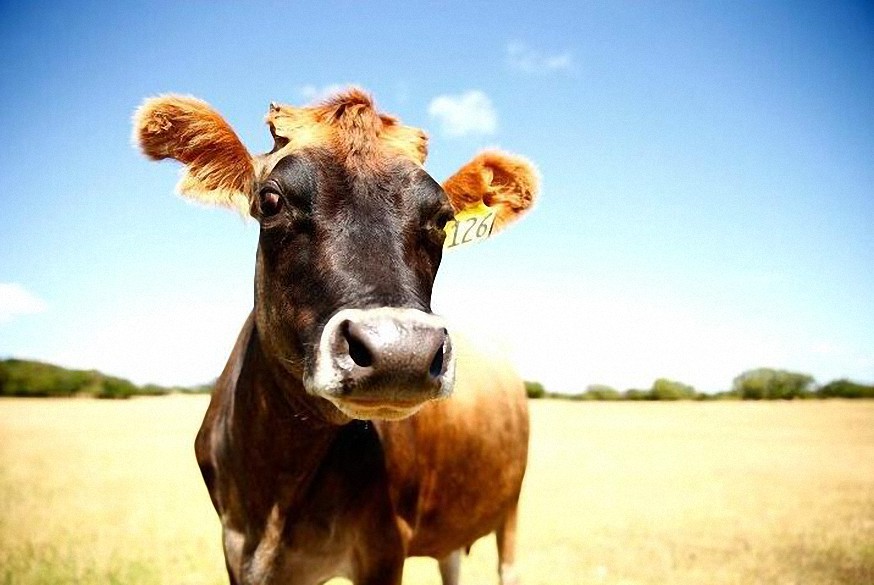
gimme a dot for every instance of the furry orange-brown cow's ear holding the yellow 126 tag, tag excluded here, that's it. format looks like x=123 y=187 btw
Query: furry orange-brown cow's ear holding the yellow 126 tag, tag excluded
x=505 y=183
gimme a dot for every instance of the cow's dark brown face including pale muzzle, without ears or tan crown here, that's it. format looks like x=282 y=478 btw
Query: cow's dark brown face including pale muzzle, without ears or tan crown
x=346 y=262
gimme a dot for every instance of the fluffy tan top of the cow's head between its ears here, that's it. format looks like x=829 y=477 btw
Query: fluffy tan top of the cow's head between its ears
x=348 y=125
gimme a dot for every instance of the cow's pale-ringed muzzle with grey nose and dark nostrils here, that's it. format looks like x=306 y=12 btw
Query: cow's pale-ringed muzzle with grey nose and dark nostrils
x=383 y=363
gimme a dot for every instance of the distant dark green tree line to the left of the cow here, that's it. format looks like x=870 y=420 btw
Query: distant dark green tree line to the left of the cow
x=38 y=379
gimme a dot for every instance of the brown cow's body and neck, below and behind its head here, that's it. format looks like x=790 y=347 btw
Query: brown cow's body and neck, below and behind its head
x=302 y=501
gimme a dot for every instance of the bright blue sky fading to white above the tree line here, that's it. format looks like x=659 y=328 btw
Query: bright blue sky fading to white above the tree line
x=708 y=178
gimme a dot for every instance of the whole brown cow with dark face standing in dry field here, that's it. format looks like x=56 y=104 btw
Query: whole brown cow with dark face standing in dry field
x=349 y=428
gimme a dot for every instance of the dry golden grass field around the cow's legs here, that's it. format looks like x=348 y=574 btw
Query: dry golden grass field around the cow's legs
x=99 y=492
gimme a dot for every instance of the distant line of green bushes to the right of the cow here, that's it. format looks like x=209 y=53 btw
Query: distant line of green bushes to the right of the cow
x=758 y=384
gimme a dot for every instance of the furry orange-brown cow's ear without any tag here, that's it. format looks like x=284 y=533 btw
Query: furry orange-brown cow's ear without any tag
x=218 y=168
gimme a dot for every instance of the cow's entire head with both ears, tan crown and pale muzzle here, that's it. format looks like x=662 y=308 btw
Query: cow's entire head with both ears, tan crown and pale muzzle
x=351 y=239
